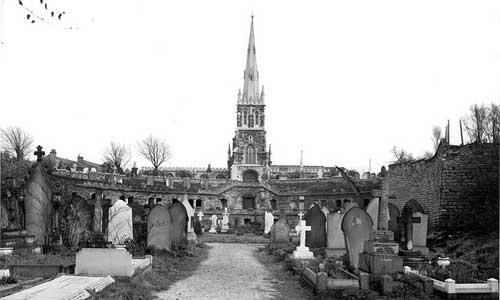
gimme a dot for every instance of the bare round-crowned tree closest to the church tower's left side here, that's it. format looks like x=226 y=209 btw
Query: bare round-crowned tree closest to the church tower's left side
x=155 y=150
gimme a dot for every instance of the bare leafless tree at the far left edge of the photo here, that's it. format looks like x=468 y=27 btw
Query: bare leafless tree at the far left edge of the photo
x=16 y=142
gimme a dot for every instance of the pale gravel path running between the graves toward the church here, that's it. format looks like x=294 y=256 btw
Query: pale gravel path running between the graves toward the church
x=230 y=272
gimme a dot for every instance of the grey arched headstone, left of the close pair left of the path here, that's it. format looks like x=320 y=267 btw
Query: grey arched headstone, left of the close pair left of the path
x=159 y=224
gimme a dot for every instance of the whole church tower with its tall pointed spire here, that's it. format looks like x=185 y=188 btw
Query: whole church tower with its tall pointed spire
x=249 y=159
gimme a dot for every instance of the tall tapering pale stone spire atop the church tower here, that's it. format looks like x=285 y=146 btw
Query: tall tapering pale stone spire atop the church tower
x=251 y=93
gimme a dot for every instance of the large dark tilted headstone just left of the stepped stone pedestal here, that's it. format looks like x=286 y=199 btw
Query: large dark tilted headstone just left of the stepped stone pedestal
x=356 y=226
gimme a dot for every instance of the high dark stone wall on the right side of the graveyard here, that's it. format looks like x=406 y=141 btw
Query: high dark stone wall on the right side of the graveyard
x=457 y=187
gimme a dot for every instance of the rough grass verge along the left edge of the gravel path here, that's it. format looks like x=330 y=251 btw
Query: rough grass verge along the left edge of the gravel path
x=167 y=269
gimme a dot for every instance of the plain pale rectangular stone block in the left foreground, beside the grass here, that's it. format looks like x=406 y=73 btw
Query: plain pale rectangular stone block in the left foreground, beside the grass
x=104 y=261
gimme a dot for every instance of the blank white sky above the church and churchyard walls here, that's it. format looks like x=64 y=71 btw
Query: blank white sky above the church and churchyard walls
x=344 y=80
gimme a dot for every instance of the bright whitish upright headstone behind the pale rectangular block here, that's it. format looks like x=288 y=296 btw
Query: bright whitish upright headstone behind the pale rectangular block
x=120 y=222
